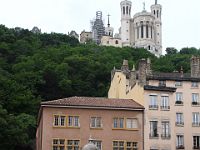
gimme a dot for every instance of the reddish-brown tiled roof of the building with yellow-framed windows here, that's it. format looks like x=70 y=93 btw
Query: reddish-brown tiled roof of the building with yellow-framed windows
x=95 y=102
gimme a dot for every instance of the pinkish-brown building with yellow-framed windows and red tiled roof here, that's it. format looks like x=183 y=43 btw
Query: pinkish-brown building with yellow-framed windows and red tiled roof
x=70 y=123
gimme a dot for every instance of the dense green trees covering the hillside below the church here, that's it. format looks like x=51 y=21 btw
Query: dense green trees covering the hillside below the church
x=40 y=67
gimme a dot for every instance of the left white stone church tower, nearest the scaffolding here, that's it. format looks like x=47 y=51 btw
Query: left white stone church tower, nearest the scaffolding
x=125 y=22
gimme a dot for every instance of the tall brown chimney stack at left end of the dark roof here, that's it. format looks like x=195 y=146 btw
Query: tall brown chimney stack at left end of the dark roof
x=142 y=72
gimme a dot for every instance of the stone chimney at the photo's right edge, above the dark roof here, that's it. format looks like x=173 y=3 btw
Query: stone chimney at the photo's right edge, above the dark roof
x=195 y=66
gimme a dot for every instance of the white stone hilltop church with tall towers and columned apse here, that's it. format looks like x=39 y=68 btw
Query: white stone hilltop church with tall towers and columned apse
x=144 y=29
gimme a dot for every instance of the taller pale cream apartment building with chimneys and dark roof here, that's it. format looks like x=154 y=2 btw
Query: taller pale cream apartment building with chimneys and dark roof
x=171 y=101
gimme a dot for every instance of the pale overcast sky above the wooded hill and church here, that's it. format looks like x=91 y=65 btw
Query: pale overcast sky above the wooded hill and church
x=180 y=18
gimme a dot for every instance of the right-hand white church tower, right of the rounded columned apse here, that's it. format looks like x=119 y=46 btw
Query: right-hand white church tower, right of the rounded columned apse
x=156 y=10
